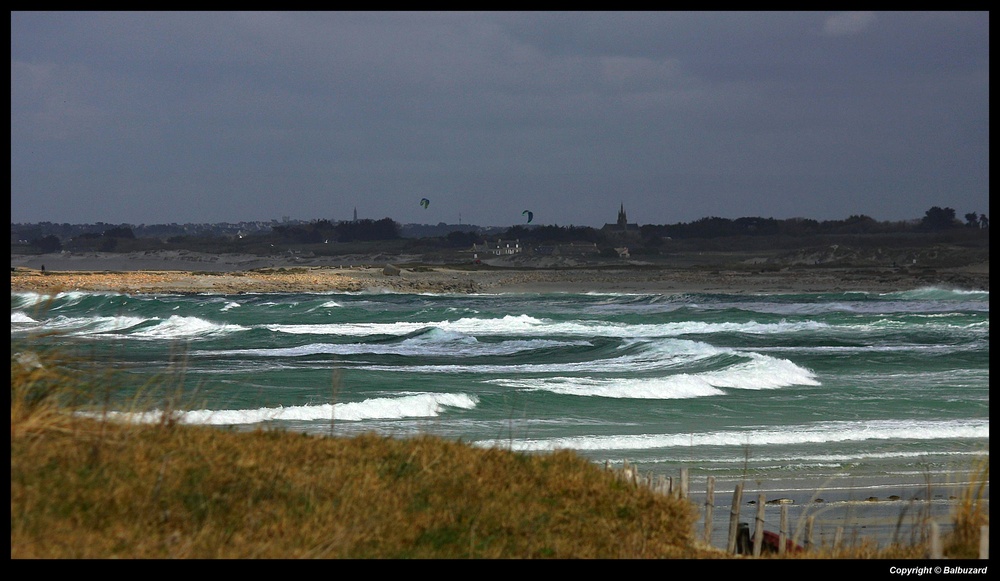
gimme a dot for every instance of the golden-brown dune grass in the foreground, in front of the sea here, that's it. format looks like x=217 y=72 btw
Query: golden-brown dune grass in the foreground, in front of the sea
x=85 y=488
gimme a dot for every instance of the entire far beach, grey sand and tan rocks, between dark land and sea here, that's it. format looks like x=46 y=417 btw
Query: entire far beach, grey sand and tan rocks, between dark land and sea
x=189 y=272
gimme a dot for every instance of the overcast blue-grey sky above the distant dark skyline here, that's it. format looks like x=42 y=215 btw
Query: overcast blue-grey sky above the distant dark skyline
x=200 y=117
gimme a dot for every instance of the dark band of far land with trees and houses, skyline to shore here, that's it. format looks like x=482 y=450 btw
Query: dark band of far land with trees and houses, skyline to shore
x=883 y=242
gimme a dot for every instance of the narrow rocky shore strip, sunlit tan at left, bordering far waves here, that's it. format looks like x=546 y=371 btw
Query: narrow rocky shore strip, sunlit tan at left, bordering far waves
x=320 y=279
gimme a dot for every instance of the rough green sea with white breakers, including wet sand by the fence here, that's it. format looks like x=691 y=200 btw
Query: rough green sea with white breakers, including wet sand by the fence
x=864 y=413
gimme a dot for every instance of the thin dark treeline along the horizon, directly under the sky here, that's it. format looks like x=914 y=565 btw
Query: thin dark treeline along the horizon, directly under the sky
x=50 y=237
